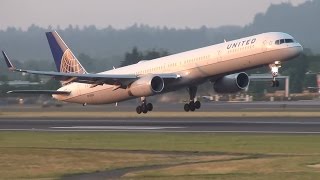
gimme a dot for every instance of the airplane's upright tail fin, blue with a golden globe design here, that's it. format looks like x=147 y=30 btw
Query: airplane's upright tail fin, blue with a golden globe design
x=63 y=57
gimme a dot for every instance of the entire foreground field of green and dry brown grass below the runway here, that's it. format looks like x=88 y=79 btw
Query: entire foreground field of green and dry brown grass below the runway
x=227 y=156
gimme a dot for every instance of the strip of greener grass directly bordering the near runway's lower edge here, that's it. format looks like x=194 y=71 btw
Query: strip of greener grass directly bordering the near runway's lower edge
x=238 y=143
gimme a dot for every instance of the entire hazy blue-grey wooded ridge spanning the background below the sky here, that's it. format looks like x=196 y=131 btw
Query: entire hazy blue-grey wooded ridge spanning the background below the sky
x=301 y=22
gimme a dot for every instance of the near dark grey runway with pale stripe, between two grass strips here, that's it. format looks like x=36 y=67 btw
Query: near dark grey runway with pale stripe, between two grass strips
x=205 y=125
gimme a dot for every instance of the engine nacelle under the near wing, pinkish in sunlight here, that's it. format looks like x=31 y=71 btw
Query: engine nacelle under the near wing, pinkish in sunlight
x=146 y=86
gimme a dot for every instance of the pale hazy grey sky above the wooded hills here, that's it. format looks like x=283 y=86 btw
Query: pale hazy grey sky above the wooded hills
x=124 y=13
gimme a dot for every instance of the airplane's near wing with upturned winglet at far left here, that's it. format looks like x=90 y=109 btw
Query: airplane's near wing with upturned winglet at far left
x=96 y=79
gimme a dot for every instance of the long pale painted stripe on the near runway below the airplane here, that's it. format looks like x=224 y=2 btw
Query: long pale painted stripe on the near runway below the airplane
x=117 y=127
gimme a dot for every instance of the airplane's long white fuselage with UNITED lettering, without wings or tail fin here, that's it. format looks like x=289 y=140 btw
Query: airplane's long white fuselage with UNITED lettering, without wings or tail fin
x=194 y=67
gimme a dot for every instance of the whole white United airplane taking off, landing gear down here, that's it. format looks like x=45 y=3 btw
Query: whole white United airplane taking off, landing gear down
x=221 y=64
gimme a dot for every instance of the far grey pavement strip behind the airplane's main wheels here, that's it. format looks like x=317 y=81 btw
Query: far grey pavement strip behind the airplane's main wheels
x=176 y=107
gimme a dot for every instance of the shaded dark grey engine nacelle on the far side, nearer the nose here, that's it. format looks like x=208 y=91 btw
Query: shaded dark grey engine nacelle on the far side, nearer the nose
x=232 y=83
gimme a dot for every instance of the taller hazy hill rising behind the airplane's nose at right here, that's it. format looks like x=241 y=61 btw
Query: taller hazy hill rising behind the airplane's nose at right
x=302 y=22
